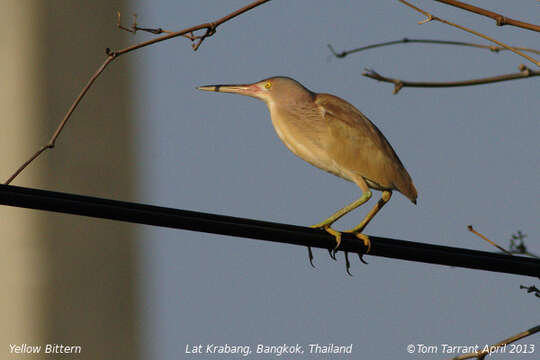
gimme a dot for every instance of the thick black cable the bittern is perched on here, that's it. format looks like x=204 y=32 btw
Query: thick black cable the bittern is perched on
x=262 y=230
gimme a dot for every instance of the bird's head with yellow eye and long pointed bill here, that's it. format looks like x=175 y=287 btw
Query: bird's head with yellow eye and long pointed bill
x=277 y=90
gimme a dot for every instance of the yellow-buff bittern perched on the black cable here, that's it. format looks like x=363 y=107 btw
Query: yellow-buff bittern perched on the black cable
x=333 y=135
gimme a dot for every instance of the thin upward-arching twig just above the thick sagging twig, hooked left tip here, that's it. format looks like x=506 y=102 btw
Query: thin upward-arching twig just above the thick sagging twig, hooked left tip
x=493 y=48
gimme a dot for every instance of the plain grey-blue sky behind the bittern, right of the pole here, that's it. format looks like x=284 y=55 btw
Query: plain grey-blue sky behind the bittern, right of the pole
x=472 y=153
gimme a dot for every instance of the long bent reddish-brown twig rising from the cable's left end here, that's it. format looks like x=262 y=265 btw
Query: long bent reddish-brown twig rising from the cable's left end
x=114 y=54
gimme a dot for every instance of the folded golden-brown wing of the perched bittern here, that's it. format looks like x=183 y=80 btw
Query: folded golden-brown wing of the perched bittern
x=357 y=145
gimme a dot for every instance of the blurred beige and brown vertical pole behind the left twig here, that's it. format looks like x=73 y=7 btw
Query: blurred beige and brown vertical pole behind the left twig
x=66 y=280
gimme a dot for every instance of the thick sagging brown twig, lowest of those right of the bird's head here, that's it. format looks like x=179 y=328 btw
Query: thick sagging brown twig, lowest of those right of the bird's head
x=525 y=72
